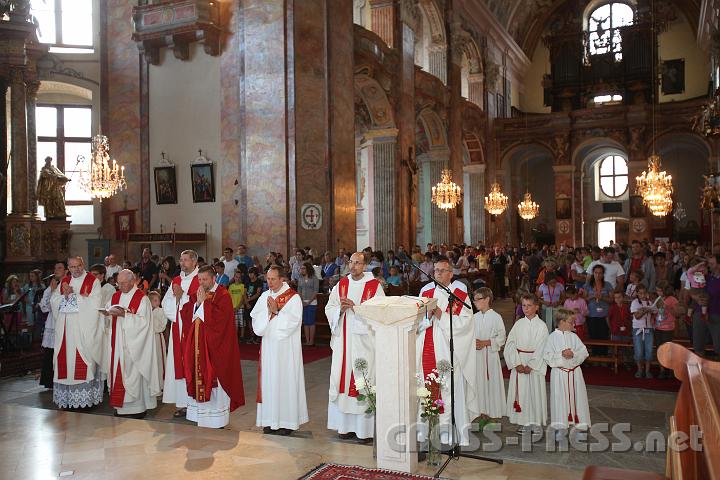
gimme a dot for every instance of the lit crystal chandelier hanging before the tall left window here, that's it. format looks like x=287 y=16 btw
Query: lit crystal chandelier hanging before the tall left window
x=102 y=180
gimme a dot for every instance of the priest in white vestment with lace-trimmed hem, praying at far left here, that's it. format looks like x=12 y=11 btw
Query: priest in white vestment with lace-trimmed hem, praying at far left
x=79 y=329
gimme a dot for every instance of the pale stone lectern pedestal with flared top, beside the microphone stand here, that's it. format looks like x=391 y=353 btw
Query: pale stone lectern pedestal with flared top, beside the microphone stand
x=394 y=321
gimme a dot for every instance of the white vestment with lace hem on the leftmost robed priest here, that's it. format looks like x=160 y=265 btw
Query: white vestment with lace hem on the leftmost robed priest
x=82 y=332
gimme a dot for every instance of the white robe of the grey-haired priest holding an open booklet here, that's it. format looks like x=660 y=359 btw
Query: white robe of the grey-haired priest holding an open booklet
x=134 y=356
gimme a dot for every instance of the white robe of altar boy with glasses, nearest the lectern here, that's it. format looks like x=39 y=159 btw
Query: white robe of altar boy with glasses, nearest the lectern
x=490 y=384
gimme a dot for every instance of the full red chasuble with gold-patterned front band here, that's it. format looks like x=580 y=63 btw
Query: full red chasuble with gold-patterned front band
x=210 y=349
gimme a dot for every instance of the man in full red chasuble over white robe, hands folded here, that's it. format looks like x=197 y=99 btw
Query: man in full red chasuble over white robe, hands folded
x=211 y=356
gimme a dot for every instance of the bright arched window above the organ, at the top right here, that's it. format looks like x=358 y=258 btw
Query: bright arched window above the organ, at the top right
x=603 y=26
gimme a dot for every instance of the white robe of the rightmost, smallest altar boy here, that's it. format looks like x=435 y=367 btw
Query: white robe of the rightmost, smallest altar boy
x=568 y=395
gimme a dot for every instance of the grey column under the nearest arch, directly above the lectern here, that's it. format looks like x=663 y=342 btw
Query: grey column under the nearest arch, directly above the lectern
x=384 y=146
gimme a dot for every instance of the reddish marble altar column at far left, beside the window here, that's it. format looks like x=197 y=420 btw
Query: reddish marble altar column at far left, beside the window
x=19 y=144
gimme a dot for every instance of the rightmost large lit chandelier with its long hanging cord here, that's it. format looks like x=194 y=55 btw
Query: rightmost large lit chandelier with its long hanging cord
x=655 y=185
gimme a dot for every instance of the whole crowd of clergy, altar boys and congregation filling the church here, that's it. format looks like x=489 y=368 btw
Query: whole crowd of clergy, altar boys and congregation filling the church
x=168 y=329
